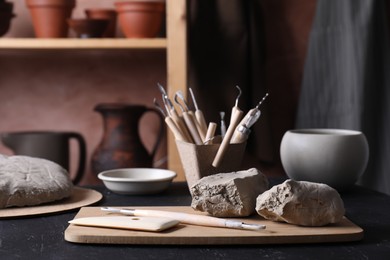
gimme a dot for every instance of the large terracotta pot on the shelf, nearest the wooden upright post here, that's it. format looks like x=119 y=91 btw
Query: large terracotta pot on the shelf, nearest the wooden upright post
x=140 y=19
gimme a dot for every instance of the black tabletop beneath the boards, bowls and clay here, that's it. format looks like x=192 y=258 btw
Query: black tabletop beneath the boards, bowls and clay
x=42 y=237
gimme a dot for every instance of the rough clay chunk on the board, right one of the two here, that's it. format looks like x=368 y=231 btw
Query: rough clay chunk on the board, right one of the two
x=301 y=203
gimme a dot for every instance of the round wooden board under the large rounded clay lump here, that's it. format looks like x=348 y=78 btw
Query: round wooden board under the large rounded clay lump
x=81 y=197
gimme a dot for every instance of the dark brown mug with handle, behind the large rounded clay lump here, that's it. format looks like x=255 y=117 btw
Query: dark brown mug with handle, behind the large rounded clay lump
x=53 y=146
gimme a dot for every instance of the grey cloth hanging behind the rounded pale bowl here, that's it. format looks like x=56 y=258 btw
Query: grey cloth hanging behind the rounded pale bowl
x=346 y=81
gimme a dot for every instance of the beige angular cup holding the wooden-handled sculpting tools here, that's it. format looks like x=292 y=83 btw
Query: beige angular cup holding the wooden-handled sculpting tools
x=197 y=159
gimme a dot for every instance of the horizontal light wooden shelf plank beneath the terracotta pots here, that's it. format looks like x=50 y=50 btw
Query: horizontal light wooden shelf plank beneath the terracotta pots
x=74 y=43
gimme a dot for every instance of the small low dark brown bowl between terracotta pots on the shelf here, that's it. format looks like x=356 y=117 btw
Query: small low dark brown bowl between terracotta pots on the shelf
x=88 y=28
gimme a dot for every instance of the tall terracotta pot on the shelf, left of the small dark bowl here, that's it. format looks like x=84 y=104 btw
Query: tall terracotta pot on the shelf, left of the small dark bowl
x=50 y=17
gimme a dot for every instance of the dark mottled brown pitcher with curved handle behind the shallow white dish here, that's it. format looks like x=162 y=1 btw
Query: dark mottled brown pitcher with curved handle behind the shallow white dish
x=121 y=145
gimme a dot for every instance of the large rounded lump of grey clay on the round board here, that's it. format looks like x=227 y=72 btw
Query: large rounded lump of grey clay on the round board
x=27 y=181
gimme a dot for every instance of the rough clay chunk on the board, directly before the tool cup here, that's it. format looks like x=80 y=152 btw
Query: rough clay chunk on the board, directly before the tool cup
x=229 y=194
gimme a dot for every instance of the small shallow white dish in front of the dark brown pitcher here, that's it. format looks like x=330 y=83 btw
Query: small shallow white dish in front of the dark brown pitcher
x=137 y=181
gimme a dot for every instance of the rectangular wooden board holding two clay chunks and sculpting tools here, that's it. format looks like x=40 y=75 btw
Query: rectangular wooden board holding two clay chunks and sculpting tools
x=275 y=233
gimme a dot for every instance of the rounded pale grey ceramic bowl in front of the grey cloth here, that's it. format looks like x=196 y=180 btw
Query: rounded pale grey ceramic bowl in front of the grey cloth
x=335 y=157
